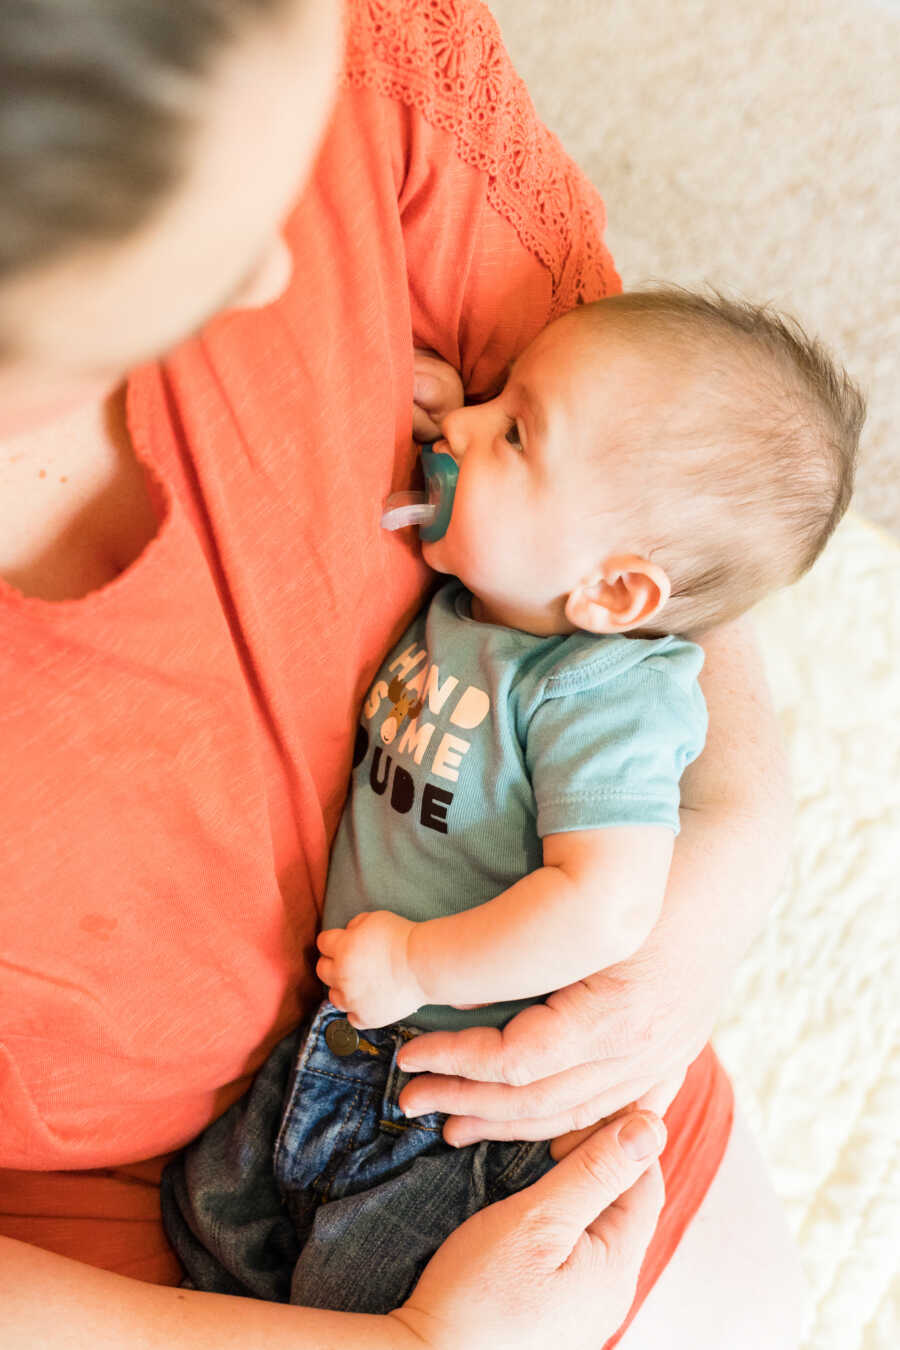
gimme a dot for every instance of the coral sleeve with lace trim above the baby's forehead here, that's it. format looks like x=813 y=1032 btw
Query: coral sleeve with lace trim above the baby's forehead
x=503 y=232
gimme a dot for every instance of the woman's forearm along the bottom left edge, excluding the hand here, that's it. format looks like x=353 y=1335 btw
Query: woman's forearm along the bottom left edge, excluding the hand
x=52 y=1303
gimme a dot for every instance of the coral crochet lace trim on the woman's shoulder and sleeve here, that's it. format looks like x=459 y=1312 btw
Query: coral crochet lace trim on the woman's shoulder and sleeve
x=447 y=60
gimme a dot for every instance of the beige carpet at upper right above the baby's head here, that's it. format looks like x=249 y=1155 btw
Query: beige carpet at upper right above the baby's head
x=755 y=146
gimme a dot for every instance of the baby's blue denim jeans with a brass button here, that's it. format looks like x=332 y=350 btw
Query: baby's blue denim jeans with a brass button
x=316 y=1190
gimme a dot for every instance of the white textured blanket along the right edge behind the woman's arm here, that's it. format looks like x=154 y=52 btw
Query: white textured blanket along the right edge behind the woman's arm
x=810 y=1035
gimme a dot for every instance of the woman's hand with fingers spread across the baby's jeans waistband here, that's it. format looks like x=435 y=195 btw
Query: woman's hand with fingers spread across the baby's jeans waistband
x=623 y=1036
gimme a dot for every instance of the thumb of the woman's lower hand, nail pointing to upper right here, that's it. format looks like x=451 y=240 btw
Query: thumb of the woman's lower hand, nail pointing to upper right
x=588 y=1181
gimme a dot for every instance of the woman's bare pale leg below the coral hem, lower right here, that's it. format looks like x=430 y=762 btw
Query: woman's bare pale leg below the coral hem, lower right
x=735 y=1279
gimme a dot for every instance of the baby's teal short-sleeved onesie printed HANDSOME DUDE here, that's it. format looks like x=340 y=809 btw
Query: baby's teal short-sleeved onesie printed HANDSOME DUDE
x=477 y=740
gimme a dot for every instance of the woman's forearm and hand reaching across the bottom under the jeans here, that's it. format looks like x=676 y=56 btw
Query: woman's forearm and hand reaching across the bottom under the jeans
x=561 y=1258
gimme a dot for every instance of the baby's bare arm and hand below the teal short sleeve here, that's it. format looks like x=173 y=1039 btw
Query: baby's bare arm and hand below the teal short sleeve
x=592 y=904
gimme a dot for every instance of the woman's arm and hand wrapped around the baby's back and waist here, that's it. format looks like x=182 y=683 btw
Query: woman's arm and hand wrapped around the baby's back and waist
x=608 y=1040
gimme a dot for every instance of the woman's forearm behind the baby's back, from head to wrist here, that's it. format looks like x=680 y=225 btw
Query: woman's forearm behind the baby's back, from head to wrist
x=736 y=809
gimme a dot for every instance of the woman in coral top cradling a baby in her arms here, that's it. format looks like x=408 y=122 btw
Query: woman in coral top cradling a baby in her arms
x=195 y=592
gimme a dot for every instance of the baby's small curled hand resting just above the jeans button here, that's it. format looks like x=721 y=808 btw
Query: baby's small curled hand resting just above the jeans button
x=368 y=971
